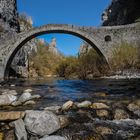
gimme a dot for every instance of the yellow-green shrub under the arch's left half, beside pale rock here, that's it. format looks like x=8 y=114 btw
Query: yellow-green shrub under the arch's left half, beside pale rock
x=44 y=62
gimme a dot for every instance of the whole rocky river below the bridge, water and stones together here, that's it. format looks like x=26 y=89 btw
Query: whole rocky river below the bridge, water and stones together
x=100 y=109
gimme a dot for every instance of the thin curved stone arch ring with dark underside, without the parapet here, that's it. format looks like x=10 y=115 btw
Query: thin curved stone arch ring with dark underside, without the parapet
x=18 y=45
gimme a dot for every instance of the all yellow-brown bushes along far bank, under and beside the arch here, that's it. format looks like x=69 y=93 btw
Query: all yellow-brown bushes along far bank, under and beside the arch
x=84 y=66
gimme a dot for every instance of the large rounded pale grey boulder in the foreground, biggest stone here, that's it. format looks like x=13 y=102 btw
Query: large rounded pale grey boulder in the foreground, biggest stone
x=41 y=122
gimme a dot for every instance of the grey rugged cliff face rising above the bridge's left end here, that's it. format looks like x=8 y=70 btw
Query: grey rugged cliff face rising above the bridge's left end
x=9 y=25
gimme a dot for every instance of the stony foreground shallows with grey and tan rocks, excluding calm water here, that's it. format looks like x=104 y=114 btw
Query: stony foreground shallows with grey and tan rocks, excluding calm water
x=102 y=119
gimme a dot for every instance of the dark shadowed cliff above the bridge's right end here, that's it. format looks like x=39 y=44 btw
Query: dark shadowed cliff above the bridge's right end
x=121 y=12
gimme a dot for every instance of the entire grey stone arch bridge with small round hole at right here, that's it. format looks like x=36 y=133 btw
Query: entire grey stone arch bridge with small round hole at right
x=103 y=39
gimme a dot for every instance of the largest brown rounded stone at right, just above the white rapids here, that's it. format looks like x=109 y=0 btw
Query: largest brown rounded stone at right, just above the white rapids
x=120 y=114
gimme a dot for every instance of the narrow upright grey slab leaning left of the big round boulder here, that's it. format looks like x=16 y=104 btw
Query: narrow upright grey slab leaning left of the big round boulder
x=20 y=131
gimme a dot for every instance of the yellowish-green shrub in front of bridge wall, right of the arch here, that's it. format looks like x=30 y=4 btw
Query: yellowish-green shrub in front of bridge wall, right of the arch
x=125 y=56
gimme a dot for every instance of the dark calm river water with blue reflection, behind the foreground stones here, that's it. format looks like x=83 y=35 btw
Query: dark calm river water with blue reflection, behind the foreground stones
x=55 y=91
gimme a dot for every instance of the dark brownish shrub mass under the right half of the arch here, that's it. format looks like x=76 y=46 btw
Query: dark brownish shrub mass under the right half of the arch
x=81 y=66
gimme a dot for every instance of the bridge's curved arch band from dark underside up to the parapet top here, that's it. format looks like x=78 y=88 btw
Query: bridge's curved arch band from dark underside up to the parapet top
x=24 y=37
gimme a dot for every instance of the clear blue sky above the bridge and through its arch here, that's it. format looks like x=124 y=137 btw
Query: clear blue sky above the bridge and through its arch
x=77 y=12
